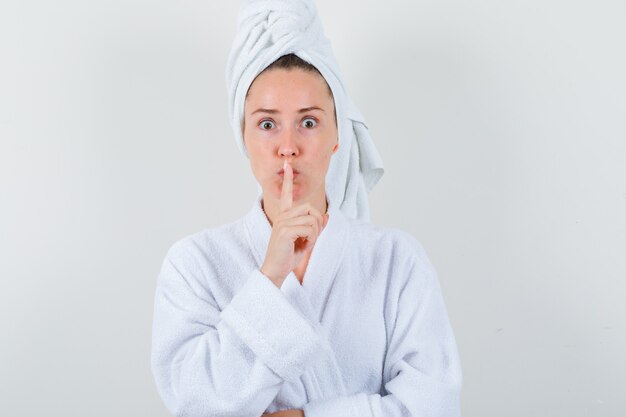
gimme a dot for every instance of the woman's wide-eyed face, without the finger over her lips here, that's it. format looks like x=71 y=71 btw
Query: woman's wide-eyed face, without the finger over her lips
x=289 y=114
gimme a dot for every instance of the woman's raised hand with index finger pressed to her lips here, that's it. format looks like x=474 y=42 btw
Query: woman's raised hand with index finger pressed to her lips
x=294 y=233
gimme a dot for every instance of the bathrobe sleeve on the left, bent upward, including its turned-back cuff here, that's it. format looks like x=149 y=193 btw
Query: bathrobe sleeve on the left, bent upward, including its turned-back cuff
x=232 y=362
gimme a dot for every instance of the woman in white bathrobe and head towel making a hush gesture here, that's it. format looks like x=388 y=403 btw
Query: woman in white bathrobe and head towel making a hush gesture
x=301 y=307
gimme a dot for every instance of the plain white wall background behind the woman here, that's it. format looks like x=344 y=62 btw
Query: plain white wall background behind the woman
x=502 y=125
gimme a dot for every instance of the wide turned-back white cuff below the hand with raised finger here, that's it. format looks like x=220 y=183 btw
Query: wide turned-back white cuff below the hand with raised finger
x=273 y=329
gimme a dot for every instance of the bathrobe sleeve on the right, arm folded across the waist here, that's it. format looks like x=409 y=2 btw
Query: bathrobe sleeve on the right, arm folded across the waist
x=422 y=371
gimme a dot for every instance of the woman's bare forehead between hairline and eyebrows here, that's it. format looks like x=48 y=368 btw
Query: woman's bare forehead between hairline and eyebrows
x=289 y=87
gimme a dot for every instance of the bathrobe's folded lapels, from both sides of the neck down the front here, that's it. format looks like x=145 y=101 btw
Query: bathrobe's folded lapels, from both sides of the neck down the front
x=309 y=298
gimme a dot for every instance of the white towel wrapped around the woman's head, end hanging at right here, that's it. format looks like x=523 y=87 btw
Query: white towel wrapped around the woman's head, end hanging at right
x=269 y=29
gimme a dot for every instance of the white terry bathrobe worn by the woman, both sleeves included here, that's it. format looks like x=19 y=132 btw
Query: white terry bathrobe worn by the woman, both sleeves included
x=365 y=334
